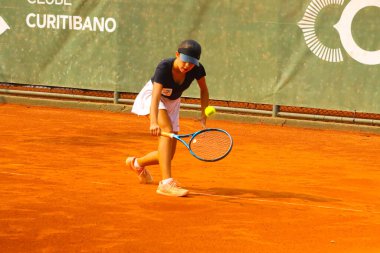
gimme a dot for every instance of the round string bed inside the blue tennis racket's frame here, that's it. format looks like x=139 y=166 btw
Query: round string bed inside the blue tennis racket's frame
x=211 y=145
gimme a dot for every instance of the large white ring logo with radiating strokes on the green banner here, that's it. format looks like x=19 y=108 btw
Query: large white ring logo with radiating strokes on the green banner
x=307 y=24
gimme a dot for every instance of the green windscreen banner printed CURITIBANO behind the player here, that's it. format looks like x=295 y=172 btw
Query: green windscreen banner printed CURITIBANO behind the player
x=309 y=53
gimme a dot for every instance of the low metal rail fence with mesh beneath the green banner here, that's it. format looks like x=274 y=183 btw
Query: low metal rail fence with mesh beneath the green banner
x=231 y=107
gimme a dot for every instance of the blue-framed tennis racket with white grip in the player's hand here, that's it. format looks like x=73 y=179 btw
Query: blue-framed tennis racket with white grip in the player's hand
x=209 y=145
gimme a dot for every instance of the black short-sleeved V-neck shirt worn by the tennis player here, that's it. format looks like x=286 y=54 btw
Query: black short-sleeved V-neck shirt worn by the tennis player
x=171 y=89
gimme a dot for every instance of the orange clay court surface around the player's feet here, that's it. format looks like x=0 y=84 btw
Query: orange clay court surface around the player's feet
x=64 y=187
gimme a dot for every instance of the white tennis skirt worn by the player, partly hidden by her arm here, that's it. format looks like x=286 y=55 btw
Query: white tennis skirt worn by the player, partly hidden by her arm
x=141 y=106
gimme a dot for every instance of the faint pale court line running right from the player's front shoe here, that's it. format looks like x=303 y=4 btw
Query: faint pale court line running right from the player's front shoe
x=277 y=202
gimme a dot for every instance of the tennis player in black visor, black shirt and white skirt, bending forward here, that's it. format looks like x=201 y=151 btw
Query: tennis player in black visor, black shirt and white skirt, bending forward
x=160 y=99
